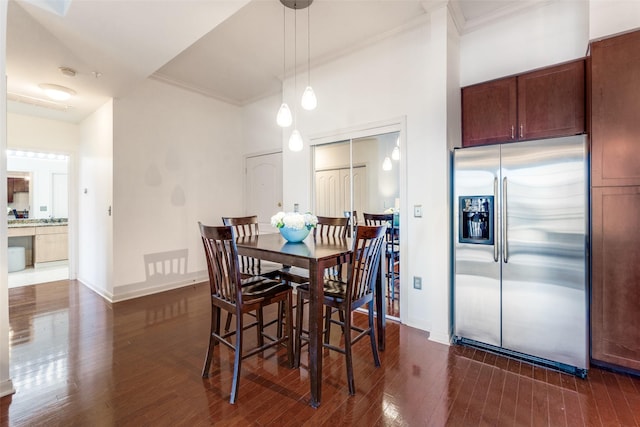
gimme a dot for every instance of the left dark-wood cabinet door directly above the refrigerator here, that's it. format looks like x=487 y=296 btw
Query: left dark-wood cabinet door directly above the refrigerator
x=489 y=112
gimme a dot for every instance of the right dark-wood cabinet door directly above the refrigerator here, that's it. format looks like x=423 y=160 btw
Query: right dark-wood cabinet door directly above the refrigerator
x=551 y=101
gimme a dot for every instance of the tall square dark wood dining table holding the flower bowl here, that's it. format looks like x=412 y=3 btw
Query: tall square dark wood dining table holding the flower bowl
x=315 y=254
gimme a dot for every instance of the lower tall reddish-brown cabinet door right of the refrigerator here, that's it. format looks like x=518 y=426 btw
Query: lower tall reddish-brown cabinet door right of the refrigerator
x=615 y=295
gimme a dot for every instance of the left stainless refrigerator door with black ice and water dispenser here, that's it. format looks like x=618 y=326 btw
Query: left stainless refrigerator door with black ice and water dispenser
x=477 y=266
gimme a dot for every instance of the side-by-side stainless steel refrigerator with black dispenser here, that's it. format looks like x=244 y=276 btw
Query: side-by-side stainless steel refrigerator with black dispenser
x=520 y=242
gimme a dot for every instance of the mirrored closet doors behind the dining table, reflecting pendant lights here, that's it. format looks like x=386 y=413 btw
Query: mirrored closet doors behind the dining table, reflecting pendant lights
x=362 y=175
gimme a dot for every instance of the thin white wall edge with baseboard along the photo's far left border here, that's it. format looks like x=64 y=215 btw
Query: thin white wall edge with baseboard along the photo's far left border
x=6 y=386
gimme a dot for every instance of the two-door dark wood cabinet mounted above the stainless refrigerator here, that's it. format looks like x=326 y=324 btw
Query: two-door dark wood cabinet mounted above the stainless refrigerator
x=544 y=103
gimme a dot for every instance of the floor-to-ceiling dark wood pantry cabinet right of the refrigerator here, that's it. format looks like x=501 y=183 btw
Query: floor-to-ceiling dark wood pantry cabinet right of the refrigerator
x=615 y=201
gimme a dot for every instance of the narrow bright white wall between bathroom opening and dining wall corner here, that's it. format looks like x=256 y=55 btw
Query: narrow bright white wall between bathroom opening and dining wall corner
x=94 y=192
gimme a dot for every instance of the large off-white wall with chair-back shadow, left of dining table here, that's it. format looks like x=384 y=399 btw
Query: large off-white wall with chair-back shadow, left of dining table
x=177 y=160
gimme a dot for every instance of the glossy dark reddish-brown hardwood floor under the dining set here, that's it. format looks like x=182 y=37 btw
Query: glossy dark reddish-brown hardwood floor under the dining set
x=79 y=361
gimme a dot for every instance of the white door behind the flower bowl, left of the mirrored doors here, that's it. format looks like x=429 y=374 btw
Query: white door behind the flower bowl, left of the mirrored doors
x=263 y=195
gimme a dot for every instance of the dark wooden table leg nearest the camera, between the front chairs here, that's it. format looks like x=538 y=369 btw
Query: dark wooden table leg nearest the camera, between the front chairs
x=316 y=296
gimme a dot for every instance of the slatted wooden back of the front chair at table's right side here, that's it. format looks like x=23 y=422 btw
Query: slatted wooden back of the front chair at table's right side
x=365 y=261
